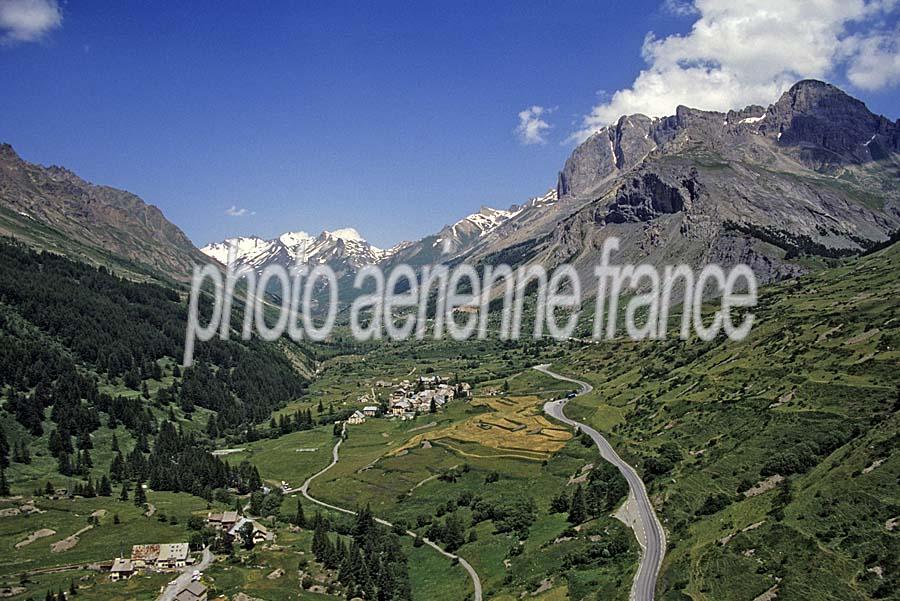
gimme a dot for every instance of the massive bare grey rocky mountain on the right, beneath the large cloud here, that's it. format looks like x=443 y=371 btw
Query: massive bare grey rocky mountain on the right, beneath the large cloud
x=815 y=173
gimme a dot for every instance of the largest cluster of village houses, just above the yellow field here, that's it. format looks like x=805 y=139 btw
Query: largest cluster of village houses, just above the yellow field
x=410 y=398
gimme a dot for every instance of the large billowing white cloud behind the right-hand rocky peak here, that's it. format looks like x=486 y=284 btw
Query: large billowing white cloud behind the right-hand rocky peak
x=740 y=53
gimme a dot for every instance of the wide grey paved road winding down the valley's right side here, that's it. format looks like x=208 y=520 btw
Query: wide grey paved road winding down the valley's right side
x=644 y=585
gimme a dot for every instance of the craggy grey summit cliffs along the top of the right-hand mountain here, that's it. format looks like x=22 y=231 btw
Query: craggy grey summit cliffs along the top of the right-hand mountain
x=814 y=122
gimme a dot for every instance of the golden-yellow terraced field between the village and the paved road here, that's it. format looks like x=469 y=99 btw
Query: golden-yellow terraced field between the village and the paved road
x=515 y=426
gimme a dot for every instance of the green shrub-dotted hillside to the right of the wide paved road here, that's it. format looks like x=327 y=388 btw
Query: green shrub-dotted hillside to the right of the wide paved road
x=773 y=460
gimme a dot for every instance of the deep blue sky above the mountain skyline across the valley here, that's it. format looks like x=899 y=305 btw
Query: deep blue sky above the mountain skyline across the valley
x=394 y=118
